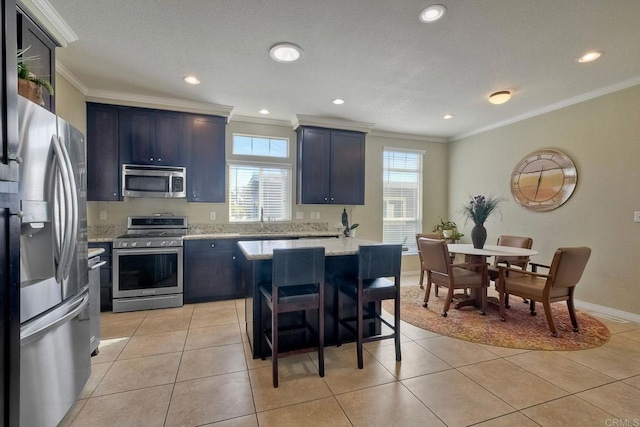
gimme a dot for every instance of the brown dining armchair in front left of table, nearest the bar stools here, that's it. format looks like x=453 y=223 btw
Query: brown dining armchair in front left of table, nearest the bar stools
x=441 y=271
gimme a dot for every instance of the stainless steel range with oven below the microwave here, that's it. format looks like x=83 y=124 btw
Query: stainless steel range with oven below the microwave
x=147 y=263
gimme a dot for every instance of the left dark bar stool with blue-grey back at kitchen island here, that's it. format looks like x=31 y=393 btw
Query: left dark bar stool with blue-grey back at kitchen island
x=297 y=284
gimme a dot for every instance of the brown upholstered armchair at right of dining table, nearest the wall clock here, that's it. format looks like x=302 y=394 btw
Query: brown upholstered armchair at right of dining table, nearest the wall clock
x=558 y=284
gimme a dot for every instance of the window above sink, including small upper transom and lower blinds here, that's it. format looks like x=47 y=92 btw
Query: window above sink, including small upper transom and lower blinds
x=258 y=187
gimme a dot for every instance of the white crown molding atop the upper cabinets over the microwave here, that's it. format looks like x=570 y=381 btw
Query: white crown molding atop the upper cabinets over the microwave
x=132 y=100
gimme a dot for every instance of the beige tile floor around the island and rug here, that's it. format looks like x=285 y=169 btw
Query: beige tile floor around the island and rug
x=191 y=366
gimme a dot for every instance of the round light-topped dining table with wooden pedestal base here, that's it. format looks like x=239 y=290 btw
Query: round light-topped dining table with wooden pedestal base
x=479 y=256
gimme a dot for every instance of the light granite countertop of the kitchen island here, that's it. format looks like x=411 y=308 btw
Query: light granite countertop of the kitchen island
x=263 y=249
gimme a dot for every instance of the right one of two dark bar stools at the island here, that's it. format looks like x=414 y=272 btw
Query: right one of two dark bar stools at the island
x=376 y=265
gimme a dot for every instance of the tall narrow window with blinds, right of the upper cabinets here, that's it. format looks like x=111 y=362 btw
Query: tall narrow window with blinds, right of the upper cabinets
x=402 y=196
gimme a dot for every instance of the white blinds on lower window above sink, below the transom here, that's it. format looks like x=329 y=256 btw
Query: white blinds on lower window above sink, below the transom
x=254 y=187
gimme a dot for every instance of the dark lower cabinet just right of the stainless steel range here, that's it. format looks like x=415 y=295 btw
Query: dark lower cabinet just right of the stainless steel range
x=211 y=270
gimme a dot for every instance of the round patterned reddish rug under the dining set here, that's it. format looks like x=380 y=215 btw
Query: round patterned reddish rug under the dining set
x=521 y=330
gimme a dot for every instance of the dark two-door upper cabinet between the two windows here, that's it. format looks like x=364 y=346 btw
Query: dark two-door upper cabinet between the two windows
x=331 y=165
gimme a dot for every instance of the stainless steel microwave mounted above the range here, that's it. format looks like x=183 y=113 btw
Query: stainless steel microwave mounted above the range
x=154 y=181
